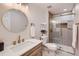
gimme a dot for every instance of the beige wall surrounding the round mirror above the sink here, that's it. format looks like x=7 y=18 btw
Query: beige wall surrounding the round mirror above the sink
x=9 y=37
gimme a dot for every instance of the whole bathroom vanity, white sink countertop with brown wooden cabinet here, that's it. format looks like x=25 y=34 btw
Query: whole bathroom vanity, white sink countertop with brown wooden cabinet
x=31 y=47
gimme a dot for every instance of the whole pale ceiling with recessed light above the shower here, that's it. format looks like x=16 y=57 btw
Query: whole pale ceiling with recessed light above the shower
x=56 y=8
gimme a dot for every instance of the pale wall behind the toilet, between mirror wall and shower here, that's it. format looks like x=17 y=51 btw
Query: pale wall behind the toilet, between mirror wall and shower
x=38 y=15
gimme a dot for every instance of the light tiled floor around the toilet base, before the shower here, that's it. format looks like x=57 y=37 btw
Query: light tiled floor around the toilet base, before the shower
x=66 y=51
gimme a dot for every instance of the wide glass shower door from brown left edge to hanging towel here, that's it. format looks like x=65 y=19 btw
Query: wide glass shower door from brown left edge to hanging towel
x=60 y=33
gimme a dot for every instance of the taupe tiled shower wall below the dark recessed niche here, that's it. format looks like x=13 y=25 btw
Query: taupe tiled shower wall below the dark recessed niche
x=65 y=38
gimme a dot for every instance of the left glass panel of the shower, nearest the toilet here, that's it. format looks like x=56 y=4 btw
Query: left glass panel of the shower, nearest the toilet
x=56 y=32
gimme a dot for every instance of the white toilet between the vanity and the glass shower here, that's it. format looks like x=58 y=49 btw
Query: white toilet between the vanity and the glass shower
x=50 y=46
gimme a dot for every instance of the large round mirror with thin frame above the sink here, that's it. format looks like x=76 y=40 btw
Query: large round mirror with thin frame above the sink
x=14 y=20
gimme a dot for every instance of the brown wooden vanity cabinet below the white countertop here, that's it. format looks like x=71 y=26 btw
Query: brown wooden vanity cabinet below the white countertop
x=36 y=51
